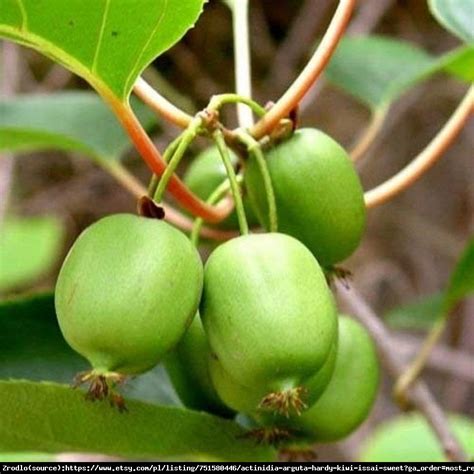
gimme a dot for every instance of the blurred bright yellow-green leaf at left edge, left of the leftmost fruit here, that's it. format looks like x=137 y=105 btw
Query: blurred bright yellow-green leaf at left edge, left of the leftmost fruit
x=28 y=248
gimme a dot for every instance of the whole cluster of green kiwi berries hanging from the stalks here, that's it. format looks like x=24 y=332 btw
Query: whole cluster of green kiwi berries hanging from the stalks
x=256 y=331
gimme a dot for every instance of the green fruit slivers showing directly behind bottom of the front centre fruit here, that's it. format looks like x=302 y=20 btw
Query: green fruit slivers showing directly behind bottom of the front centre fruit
x=246 y=400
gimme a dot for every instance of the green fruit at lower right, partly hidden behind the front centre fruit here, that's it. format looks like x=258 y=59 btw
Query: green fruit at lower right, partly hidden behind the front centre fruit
x=351 y=392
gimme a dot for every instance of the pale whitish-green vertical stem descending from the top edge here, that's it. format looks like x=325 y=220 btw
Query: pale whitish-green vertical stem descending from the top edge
x=242 y=61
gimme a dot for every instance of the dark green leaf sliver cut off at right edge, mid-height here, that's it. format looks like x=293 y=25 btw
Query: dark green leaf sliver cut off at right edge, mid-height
x=461 y=283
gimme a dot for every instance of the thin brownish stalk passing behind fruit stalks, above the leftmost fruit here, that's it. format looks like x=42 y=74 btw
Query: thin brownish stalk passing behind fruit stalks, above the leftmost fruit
x=136 y=189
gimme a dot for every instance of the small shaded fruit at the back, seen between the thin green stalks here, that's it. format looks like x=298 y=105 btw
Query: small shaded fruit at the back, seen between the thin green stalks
x=206 y=173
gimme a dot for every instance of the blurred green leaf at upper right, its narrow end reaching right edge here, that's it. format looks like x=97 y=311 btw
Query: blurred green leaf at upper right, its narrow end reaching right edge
x=376 y=70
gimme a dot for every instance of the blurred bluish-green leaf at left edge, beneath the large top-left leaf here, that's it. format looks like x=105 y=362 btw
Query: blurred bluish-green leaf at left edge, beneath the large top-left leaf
x=71 y=121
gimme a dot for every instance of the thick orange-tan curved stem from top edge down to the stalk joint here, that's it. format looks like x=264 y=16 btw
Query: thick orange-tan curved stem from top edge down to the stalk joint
x=291 y=98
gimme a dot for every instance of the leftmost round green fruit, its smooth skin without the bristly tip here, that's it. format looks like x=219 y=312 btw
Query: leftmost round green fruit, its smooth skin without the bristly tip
x=127 y=291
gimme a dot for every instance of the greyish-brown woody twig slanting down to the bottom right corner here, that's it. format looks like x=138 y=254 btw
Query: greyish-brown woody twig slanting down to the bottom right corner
x=419 y=395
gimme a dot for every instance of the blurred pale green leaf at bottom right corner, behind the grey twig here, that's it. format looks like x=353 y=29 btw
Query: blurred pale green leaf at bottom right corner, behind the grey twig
x=408 y=438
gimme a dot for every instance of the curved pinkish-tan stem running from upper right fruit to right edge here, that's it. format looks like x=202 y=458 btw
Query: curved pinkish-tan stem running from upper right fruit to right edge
x=427 y=158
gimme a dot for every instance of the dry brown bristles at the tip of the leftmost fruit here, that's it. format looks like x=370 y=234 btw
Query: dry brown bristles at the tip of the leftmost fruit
x=102 y=387
